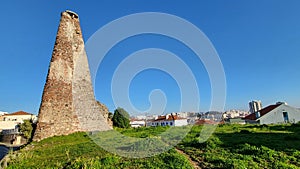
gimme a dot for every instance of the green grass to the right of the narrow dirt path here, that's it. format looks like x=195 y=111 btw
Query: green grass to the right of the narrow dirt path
x=246 y=146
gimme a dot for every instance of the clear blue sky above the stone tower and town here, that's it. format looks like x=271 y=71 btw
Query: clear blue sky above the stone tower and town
x=258 y=42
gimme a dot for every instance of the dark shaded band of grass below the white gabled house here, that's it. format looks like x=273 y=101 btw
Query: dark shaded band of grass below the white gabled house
x=277 y=137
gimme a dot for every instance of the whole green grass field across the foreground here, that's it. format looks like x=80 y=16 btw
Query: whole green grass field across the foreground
x=230 y=146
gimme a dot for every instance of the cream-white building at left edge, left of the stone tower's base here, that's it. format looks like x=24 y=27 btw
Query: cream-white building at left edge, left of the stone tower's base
x=10 y=122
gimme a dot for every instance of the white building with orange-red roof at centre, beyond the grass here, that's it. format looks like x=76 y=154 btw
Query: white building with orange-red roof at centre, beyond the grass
x=168 y=120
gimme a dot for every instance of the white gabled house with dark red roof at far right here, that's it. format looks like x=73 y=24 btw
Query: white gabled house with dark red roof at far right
x=274 y=114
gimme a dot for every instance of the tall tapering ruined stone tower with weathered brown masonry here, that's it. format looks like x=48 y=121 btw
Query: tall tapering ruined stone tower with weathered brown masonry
x=68 y=103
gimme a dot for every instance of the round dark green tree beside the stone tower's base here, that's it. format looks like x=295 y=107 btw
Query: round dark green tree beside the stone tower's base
x=121 y=118
